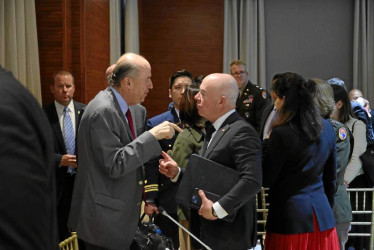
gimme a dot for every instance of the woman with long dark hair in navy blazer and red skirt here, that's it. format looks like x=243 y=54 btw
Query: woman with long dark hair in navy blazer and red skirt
x=299 y=167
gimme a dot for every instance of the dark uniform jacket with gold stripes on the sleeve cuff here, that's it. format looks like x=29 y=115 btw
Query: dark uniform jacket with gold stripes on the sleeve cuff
x=159 y=188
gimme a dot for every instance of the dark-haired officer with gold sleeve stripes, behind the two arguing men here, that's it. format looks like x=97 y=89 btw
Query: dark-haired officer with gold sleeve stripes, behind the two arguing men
x=159 y=190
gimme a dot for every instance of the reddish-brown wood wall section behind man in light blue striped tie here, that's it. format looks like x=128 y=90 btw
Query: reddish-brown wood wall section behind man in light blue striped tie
x=73 y=35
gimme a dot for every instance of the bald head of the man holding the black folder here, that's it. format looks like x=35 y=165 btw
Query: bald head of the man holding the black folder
x=217 y=96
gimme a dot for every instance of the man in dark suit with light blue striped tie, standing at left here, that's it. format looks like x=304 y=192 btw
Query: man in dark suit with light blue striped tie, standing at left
x=64 y=115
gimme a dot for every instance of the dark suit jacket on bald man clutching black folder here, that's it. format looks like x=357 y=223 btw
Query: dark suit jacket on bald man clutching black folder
x=236 y=145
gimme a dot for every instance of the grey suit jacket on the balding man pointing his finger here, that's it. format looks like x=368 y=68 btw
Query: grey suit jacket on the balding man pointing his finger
x=108 y=187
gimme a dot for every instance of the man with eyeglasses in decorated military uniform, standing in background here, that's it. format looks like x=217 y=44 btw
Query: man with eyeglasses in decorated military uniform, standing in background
x=252 y=99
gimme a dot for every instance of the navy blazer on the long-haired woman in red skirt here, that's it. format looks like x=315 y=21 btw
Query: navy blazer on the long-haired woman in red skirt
x=302 y=179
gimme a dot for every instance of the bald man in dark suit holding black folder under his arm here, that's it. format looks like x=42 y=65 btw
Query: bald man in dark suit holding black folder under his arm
x=235 y=144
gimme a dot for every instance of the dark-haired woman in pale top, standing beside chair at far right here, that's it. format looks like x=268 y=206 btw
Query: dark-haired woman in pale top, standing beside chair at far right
x=353 y=176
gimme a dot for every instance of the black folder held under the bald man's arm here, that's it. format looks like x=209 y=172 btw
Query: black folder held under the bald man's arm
x=213 y=178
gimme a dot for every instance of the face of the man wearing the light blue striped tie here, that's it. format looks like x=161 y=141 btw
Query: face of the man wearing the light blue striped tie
x=63 y=89
